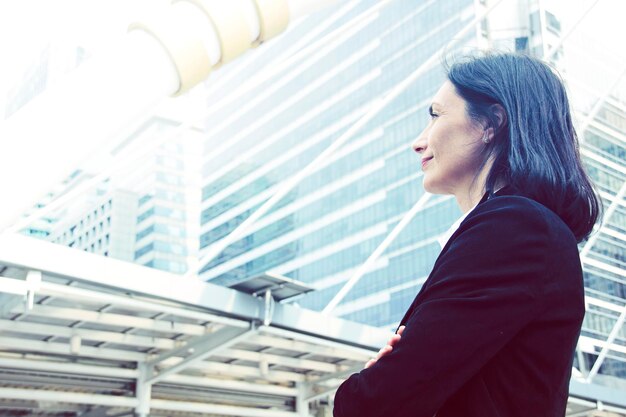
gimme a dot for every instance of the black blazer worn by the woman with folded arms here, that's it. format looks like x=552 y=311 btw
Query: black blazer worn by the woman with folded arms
x=493 y=330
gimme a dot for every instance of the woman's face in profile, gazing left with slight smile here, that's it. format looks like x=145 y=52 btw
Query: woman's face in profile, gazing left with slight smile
x=451 y=145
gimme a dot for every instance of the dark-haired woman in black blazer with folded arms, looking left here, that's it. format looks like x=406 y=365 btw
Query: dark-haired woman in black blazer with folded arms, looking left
x=493 y=330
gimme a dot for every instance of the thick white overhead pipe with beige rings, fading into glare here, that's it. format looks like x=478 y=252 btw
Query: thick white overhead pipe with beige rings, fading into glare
x=165 y=54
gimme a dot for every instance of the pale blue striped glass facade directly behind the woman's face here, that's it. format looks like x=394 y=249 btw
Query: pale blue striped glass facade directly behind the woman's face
x=334 y=218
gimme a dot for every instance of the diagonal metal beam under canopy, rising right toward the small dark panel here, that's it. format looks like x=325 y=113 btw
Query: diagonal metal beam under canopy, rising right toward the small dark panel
x=200 y=349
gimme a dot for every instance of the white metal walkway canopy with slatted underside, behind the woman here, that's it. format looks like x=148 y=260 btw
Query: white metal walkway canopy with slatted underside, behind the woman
x=84 y=335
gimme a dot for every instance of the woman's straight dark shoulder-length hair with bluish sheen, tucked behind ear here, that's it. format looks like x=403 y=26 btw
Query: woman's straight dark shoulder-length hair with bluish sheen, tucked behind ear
x=535 y=146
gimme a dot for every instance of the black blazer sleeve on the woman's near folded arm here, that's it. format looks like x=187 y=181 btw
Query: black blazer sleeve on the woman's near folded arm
x=482 y=291
